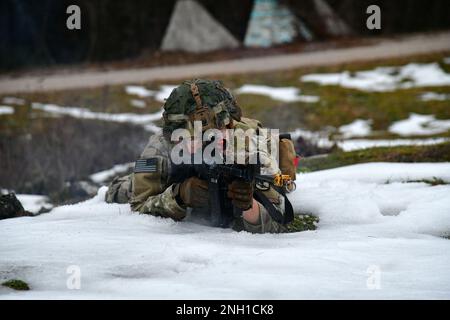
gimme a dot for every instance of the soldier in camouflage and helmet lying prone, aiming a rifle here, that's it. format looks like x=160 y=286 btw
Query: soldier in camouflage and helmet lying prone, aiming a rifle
x=148 y=189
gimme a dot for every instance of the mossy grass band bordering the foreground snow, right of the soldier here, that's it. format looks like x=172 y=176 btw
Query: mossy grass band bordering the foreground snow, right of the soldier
x=434 y=153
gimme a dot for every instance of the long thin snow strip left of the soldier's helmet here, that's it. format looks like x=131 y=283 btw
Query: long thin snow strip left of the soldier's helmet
x=82 y=113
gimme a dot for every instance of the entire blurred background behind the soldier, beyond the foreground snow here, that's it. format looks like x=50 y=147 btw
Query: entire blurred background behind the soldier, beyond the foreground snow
x=59 y=144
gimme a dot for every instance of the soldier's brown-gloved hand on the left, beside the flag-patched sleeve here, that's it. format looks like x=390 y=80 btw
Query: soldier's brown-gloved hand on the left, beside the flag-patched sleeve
x=193 y=192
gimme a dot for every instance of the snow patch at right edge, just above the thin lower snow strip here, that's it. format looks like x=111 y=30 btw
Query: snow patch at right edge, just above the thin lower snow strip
x=419 y=124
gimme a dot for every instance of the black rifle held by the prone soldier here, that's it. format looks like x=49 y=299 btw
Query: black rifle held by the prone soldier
x=219 y=176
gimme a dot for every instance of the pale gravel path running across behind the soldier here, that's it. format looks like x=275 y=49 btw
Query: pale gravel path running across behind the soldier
x=387 y=48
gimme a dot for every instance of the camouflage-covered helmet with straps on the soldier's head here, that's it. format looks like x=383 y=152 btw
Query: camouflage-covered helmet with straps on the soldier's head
x=203 y=100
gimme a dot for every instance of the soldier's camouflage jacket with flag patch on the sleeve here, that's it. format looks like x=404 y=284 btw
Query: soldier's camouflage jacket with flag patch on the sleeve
x=150 y=192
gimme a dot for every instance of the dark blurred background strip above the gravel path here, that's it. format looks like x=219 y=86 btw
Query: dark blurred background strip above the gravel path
x=32 y=34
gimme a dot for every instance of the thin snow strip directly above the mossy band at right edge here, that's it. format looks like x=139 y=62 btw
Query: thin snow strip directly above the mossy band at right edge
x=358 y=144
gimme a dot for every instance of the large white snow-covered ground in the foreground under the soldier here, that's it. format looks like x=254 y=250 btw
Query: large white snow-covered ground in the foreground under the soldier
x=376 y=240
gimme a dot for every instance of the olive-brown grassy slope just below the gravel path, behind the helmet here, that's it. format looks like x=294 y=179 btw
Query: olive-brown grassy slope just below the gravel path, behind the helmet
x=337 y=106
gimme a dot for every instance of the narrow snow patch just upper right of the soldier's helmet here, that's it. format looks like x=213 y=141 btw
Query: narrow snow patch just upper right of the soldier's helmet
x=285 y=94
